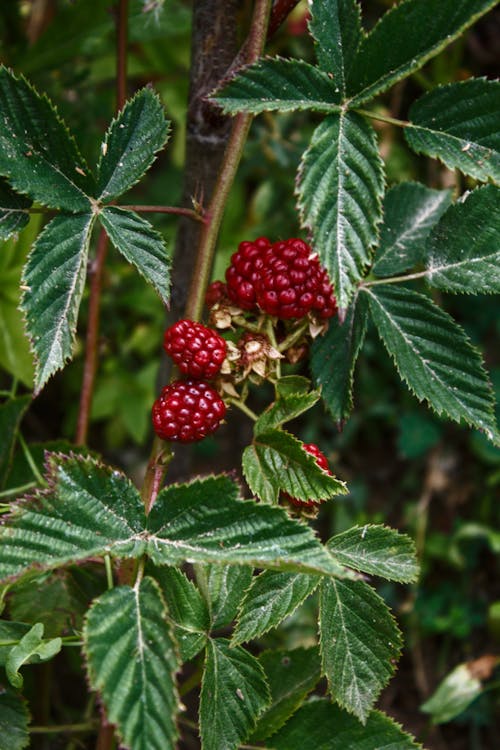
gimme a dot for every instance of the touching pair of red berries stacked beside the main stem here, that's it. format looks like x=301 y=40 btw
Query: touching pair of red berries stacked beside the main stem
x=188 y=410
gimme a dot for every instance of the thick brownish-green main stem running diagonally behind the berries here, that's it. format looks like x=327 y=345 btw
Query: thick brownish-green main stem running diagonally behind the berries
x=160 y=454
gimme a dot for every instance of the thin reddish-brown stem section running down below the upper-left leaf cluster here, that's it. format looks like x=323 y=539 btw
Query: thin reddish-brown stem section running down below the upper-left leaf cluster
x=91 y=341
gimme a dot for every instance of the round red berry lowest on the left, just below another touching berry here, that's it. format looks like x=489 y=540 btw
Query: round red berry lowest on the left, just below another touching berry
x=187 y=411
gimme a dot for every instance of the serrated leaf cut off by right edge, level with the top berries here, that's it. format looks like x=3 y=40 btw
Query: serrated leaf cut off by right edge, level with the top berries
x=463 y=253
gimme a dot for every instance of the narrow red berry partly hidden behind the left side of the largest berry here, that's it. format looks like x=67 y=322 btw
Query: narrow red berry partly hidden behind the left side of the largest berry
x=247 y=264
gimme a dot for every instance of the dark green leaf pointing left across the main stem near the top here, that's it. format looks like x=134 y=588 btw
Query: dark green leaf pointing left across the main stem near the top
x=278 y=84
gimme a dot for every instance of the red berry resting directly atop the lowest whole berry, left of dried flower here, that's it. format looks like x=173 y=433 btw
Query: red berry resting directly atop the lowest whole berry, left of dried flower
x=197 y=350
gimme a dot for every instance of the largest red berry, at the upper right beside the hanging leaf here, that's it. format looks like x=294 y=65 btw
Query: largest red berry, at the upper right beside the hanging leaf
x=292 y=282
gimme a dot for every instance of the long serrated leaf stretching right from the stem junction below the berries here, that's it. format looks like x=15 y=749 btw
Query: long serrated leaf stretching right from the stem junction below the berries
x=205 y=521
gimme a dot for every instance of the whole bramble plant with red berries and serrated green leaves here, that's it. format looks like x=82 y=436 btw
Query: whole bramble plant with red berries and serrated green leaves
x=172 y=586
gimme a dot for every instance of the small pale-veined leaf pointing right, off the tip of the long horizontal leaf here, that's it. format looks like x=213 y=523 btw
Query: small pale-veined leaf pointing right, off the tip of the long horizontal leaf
x=377 y=550
